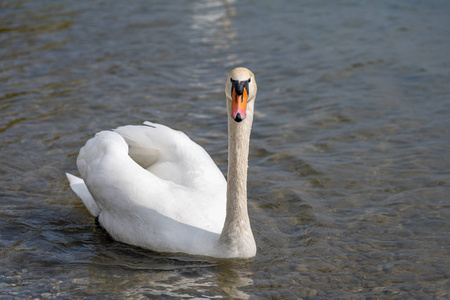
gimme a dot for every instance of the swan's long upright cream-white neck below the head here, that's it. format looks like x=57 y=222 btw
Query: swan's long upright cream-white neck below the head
x=237 y=237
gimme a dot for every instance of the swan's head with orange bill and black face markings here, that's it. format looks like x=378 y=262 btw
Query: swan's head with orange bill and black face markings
x=240 y=89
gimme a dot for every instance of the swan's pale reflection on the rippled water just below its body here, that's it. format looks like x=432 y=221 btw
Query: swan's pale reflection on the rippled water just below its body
x=170 y=276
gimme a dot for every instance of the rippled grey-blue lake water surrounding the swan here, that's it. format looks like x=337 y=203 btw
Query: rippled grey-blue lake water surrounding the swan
x=349 y=165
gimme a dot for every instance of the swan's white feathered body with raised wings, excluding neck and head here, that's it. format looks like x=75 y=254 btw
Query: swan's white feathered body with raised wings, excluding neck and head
x=151 y=186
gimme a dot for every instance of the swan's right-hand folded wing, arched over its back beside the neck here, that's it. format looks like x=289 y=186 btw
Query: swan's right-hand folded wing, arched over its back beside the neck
x=173 y=156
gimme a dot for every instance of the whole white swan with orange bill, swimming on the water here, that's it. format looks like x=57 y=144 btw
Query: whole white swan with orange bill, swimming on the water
x=153 y=187
